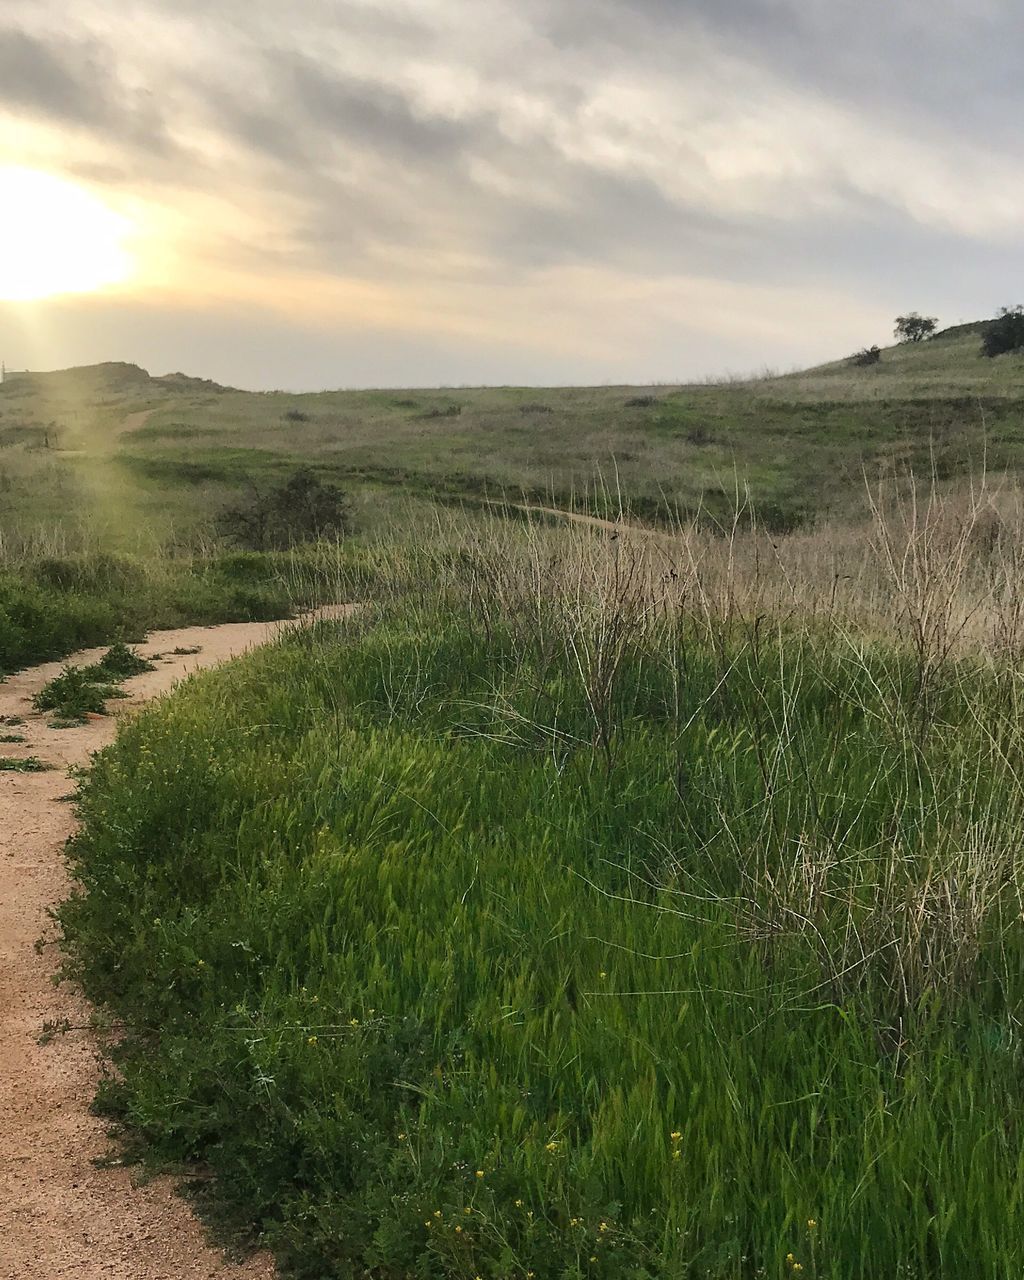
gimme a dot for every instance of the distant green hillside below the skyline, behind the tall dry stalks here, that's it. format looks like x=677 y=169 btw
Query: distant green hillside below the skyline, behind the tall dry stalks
x=76 y=451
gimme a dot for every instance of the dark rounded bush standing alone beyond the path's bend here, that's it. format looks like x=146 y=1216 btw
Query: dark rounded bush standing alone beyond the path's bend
x=299 y=511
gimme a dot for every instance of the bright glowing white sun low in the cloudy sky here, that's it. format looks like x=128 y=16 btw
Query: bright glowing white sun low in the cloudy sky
x=56 y=237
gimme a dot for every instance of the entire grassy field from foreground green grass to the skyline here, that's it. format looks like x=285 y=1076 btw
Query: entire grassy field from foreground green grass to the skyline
x=595 y=903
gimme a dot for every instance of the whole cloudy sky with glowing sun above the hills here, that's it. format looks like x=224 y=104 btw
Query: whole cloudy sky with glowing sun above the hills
x=444 y=193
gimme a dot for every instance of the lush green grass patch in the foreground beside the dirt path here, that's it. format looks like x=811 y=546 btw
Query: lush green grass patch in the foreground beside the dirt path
x=450 y=957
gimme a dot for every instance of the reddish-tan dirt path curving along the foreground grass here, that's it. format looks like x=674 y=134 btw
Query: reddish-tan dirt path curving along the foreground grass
x=60 y=1215
